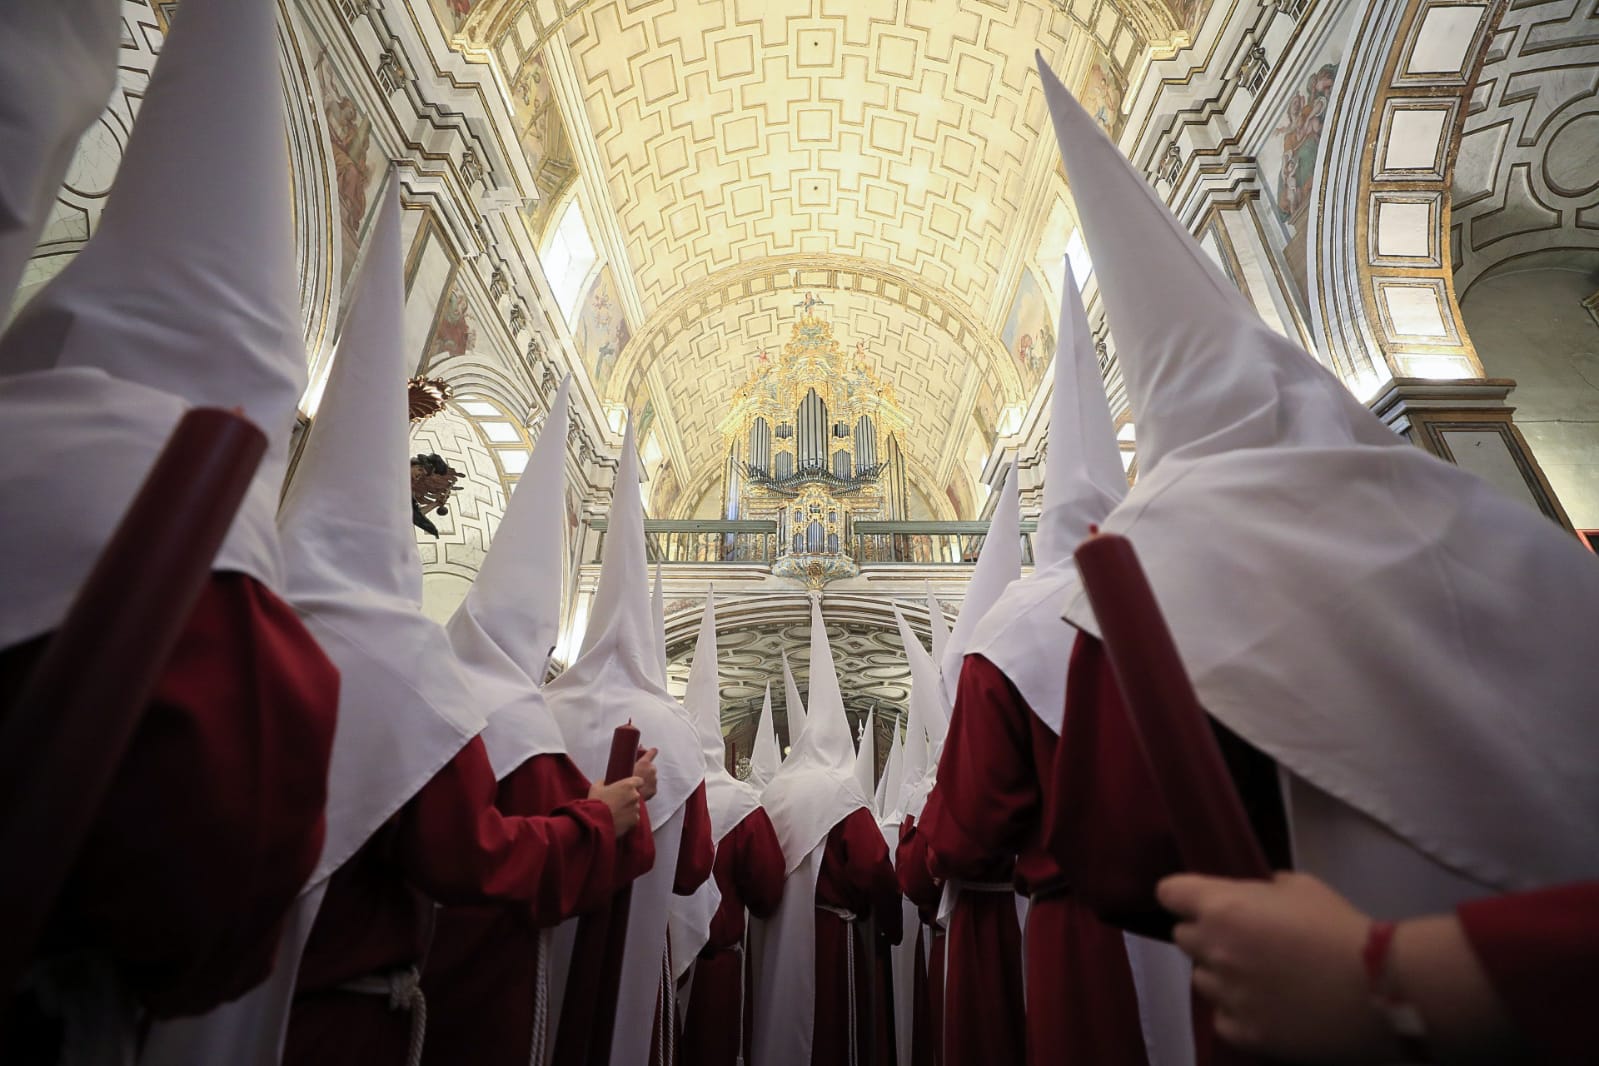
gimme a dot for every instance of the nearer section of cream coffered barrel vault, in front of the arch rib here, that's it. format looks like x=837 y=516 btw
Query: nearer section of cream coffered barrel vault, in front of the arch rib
x=741 y=130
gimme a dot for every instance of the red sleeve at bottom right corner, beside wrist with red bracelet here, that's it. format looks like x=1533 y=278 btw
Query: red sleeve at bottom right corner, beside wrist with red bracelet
x=1541 y=952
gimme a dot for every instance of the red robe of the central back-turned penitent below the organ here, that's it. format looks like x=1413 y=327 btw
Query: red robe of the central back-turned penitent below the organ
x=856 y=877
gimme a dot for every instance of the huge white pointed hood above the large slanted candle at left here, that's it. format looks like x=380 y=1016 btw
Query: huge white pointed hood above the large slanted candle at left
x=186 y=296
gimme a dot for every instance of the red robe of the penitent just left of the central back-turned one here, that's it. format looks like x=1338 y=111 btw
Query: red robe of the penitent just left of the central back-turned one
x=751 y=877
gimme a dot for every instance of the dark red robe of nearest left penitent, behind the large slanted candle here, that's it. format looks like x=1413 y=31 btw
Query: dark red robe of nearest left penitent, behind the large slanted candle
x=215 y=816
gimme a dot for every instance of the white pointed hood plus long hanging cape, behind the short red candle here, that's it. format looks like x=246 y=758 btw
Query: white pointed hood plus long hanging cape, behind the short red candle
x=616 y=680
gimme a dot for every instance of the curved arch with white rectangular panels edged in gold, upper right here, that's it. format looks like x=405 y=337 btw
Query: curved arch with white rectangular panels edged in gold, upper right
x=1382 y=300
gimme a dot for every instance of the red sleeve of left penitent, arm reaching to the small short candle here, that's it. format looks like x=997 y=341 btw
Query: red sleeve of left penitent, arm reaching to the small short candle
x=458 y=848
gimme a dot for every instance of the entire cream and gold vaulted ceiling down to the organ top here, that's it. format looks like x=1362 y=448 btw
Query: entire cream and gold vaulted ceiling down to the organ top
x=730 y=156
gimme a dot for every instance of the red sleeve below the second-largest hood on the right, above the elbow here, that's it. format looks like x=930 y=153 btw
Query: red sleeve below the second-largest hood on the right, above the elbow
x=991 y=794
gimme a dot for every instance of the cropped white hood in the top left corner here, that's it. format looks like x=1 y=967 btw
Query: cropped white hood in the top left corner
x=58 y=66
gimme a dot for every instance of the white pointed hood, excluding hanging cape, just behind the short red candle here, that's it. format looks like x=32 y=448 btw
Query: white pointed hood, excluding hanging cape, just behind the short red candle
x=616 y=677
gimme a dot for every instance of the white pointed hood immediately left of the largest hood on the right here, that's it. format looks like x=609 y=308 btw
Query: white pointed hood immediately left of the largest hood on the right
x=1023 y=634
